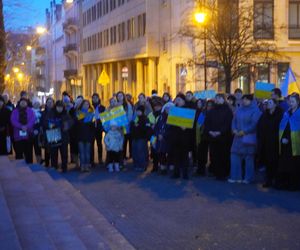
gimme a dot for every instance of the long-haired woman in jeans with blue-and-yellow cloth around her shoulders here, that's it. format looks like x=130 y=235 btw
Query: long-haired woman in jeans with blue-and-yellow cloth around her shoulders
x=85 y=134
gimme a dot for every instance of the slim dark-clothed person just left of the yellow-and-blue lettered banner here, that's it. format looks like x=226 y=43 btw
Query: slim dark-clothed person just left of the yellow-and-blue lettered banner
x=98 y=130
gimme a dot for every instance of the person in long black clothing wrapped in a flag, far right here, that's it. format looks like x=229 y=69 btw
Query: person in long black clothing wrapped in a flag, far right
x=288 y=176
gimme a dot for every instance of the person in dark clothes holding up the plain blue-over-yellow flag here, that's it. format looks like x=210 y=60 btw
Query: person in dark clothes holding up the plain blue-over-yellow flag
x=179 y=140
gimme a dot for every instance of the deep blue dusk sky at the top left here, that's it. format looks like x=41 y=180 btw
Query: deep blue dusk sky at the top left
x=20 y=14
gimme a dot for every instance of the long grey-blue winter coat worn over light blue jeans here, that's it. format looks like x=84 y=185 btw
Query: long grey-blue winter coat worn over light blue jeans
x=245 y=119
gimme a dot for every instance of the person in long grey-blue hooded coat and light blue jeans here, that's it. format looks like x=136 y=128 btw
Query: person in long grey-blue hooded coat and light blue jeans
x=244 y=127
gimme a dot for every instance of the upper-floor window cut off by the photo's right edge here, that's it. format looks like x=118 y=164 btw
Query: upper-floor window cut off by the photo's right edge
x=294 y=19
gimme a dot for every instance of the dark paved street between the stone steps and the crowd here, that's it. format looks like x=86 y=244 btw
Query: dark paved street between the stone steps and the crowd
x=155 y=212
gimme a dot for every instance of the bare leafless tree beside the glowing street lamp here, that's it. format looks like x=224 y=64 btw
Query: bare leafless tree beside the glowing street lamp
x=229 y=34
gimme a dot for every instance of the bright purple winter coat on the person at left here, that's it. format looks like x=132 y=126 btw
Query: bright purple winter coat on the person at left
x=17 y=126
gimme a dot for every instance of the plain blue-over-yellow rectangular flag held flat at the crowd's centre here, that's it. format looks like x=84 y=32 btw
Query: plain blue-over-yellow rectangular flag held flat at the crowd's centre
x=181 y=117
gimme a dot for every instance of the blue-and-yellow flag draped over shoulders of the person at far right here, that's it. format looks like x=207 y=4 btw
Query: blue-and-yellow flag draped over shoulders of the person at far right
x=294 y=121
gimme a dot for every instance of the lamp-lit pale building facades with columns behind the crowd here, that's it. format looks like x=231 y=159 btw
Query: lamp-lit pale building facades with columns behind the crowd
x=135 y=46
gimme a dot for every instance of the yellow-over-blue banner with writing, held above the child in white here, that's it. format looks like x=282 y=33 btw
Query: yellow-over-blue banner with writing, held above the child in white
x=117 y=115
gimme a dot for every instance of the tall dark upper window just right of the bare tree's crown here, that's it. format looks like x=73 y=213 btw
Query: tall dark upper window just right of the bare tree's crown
x=263 y=19
